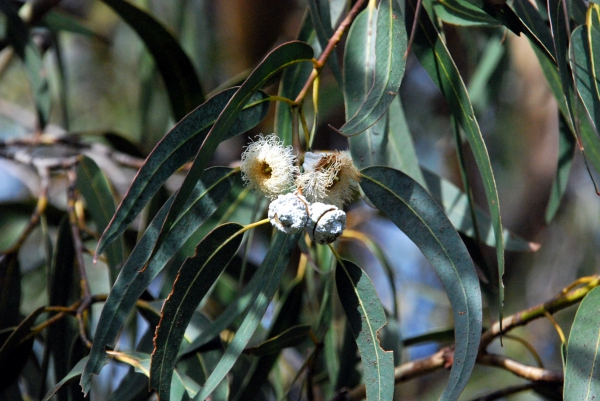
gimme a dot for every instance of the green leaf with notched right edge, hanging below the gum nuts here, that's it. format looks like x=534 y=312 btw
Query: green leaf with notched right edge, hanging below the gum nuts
x=366 y=317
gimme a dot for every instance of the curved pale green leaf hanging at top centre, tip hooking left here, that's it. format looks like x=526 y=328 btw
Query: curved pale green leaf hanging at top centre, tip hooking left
x=390 y=46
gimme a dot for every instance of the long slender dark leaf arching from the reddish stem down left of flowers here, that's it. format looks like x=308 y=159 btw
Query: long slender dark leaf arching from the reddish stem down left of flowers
x=281 y=57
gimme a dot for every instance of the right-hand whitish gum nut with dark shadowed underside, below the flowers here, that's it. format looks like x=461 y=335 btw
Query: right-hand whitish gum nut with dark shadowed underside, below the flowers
x=326 y=224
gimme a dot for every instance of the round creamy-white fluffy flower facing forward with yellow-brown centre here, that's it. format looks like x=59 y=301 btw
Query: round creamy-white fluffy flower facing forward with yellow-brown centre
x=268 y=167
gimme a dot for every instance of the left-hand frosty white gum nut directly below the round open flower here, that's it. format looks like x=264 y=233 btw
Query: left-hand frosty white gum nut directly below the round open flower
x=289 y=213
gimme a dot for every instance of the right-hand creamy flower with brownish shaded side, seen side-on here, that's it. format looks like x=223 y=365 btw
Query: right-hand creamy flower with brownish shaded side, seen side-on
x=329 y=178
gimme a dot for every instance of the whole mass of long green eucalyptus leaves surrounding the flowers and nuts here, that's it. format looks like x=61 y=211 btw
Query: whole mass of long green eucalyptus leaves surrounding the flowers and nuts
x=182 y=354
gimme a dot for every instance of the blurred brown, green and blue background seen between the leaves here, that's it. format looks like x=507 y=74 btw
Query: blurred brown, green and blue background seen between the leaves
x=105 y=87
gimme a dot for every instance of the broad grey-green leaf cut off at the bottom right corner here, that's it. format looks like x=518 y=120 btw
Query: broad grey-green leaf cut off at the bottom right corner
x=582 y=373
